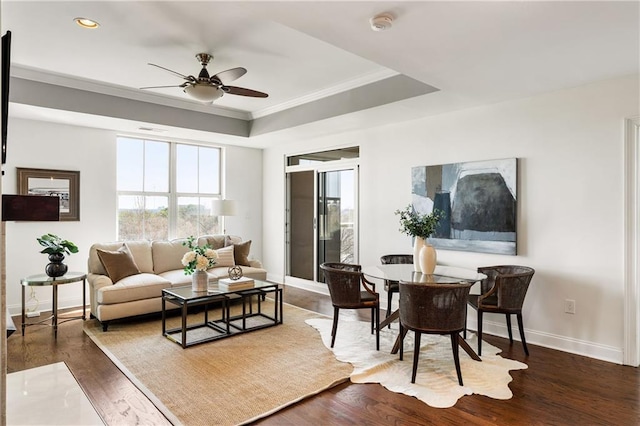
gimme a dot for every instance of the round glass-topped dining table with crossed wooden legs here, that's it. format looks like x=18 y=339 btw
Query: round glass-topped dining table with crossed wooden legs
x=441 y=275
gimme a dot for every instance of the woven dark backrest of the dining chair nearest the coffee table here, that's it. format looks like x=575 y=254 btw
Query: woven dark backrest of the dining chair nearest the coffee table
x=343 y=280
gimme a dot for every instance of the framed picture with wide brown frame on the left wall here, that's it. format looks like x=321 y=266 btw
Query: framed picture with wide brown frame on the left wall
x=58 y=183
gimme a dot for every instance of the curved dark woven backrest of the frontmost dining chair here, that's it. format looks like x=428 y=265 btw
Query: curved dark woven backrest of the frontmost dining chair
x=434 y=308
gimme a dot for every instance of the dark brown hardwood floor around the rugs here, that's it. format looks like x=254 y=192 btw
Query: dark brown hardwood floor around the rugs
x=558 y=388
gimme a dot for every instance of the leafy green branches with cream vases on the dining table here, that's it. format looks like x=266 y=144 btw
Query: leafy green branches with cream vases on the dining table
x=420 y=226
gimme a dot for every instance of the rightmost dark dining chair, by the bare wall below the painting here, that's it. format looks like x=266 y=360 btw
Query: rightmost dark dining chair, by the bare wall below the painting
x=503 y=291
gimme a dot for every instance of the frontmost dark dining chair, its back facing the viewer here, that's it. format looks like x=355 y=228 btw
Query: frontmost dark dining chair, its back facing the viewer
x=433 y=309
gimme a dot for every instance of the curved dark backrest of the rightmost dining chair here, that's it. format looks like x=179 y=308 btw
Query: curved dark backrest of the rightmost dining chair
x=512 y=283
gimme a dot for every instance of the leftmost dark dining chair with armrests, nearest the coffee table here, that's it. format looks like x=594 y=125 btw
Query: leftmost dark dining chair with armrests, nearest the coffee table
x=349 y=289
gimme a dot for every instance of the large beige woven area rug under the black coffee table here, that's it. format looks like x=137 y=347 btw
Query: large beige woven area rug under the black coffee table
x=225 y=382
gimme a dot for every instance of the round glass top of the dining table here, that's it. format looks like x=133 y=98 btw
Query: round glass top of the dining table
x=405 y=272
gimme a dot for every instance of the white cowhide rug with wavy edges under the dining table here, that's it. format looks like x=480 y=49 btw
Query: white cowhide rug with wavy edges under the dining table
x=436 y=381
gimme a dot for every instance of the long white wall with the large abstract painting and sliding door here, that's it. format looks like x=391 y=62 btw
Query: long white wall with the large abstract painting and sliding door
x=570 y=201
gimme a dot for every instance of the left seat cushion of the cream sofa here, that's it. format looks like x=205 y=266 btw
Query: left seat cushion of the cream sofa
x=135 y=287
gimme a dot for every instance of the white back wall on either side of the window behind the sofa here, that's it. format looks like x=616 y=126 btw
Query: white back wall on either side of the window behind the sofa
x=37 y=144
